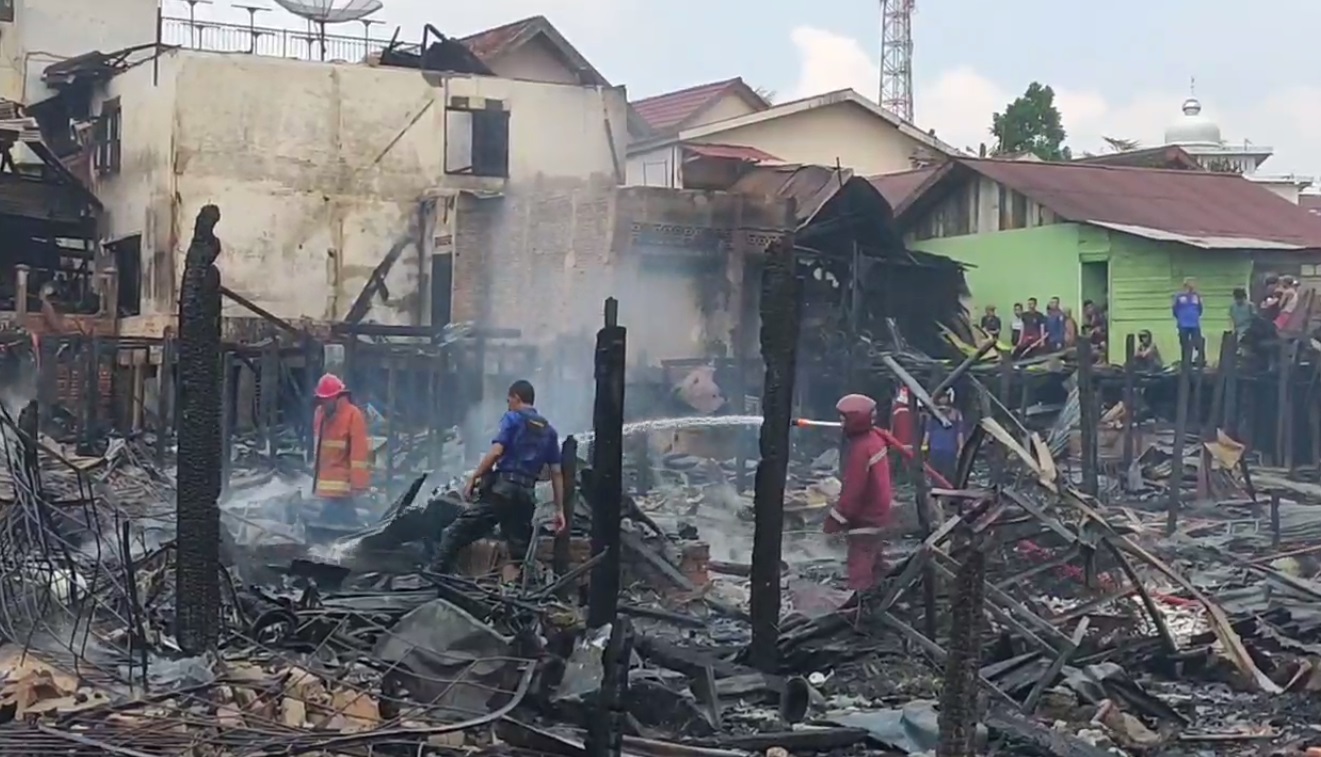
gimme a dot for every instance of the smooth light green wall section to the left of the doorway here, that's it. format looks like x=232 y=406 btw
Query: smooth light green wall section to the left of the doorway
x=1013 y=266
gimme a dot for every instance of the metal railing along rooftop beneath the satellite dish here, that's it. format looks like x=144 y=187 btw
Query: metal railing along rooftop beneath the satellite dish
x=301 y=44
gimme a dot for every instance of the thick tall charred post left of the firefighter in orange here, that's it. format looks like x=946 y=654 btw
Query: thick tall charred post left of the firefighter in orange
x=199 y=559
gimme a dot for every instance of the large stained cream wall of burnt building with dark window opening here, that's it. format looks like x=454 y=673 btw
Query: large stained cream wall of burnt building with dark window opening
x=316 y=186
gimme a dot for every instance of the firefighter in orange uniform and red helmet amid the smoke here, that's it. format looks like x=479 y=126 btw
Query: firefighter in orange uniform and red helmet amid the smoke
x=344 y=470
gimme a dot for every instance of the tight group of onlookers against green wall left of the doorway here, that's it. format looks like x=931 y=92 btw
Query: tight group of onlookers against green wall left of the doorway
x=1036 y=332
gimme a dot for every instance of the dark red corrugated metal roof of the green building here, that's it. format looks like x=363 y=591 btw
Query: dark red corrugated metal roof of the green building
x=1186 y=203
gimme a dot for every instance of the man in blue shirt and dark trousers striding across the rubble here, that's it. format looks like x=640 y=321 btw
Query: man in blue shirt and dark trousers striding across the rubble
x=525 y=450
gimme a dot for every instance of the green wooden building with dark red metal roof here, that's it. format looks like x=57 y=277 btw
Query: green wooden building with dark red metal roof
x=1127 y=237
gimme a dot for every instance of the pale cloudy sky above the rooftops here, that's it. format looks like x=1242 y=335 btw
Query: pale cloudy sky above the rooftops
x=1121 y=68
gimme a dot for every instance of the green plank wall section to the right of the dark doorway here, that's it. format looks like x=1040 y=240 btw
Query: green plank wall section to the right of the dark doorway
x=1146 y=274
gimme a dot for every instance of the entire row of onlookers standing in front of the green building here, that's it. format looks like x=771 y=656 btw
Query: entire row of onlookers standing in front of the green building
x=1036 y=332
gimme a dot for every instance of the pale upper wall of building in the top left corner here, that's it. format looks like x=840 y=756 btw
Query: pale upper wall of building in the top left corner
x=50 y=31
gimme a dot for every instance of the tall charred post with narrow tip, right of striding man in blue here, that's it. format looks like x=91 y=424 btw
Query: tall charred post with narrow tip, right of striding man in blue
x=607 y=468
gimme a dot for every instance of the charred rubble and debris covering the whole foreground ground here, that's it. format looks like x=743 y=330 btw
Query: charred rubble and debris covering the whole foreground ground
x=1100 y=635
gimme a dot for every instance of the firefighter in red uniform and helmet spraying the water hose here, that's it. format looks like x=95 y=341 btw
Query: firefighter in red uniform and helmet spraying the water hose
x=865 y=501
